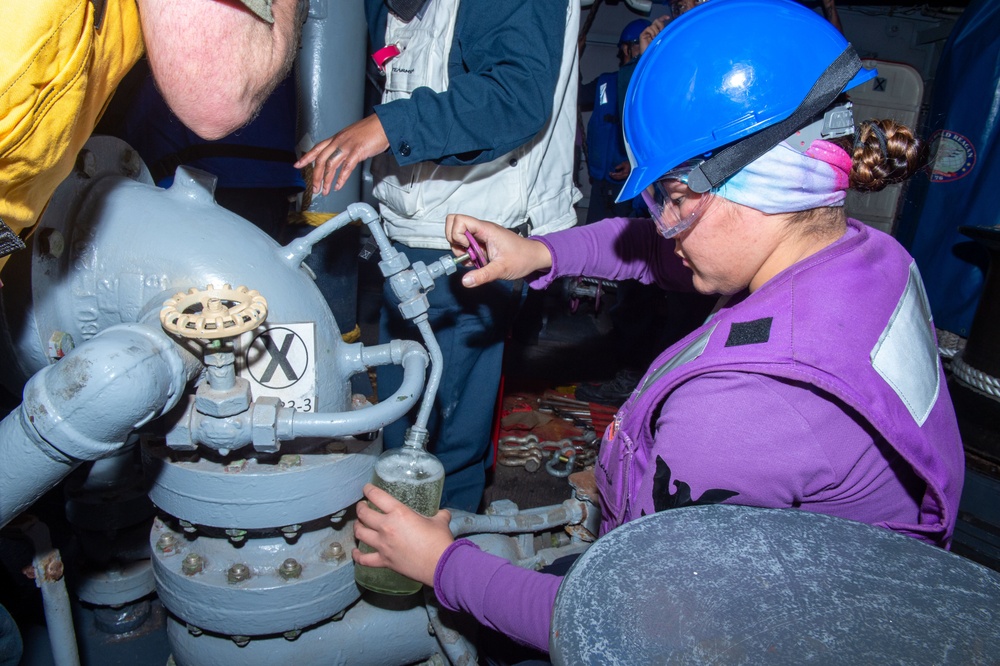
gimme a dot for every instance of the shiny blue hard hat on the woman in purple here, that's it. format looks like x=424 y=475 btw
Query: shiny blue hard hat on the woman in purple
x=726 y=70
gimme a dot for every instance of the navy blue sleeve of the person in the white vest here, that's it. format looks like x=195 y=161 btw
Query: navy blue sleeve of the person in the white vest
x=503 y=68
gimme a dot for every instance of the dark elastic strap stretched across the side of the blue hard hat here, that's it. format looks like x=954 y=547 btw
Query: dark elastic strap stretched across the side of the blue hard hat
x=728 y=161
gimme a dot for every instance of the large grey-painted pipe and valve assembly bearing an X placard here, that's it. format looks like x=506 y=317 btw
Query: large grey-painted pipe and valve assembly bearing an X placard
x=187 y=387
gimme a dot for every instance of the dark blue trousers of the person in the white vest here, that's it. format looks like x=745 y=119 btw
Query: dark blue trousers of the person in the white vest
x=470 y=326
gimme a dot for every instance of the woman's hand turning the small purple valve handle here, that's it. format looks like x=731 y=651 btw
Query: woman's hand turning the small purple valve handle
x=510 y=256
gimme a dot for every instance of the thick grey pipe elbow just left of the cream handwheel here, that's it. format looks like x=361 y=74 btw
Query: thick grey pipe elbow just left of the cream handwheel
x=84 y=407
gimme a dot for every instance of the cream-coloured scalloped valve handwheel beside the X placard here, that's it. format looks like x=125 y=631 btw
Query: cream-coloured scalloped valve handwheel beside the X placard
x=212 y=313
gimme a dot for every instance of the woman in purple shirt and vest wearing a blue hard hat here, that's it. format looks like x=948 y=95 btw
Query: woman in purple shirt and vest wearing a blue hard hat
x=814 y=385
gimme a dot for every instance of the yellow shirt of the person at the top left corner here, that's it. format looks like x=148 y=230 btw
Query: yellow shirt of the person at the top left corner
x=59 y=71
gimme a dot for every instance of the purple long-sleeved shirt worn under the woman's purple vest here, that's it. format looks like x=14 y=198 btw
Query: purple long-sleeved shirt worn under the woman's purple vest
x=745 y=438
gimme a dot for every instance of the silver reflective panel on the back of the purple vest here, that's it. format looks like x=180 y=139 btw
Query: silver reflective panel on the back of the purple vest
x=906 y=353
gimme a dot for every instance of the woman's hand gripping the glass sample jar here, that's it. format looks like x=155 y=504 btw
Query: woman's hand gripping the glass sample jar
x=405 y=541
